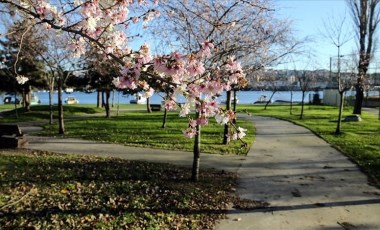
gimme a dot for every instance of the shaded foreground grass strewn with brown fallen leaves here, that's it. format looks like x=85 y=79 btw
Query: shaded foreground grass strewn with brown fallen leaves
x=51 y=191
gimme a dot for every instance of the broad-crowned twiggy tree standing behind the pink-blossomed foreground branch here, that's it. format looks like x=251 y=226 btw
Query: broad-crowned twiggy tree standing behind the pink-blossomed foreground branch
x=248 y=30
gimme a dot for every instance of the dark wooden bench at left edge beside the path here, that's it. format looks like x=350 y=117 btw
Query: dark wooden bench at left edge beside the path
x=11 y=136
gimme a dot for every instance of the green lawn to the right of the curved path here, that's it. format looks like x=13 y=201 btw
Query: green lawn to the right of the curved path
x=359 y=140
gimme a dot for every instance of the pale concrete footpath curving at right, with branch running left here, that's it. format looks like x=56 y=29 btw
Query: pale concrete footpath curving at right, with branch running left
x=308 y=184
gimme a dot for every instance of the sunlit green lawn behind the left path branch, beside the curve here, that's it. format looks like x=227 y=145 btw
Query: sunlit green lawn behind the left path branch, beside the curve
x=144 y=129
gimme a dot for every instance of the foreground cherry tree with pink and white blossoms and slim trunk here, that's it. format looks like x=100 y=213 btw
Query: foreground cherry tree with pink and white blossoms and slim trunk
x=103 y=25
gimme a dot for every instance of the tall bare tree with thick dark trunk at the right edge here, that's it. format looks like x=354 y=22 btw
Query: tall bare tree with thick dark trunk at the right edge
x=366 y=17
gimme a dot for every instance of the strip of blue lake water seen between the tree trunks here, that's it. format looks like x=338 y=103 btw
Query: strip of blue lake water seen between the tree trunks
x=245 y=97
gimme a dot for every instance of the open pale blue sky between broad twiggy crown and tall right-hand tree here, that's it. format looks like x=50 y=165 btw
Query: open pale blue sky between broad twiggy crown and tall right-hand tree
x=308 y=17
